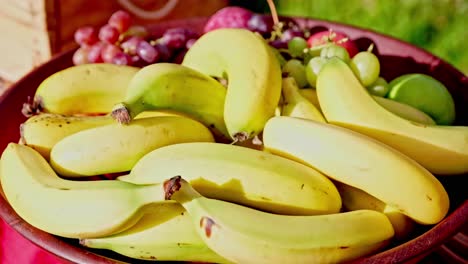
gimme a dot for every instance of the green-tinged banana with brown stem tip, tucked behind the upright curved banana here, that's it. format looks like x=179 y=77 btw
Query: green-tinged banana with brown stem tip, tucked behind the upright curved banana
x=168 y=86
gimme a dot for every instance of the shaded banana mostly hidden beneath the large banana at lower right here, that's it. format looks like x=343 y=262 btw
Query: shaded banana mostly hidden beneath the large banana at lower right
x=356 y=199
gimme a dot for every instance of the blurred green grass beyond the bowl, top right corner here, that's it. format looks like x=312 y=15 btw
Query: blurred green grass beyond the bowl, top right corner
x=439 y=26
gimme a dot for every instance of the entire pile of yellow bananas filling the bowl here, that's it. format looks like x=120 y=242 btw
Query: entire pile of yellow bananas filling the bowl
x=336 y=178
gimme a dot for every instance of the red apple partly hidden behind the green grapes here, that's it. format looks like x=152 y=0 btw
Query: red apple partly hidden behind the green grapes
x=338 y=38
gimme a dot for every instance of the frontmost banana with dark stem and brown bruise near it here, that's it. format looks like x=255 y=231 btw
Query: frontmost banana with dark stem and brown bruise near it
x=244 y=235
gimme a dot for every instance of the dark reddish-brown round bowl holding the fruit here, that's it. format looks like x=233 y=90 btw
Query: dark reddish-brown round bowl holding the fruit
x=396 y=58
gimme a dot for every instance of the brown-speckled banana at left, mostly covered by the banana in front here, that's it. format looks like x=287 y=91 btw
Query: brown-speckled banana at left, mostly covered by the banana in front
x=43 y=131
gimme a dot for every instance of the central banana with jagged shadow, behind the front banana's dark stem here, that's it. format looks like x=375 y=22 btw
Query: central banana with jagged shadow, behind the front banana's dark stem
x=241 y=175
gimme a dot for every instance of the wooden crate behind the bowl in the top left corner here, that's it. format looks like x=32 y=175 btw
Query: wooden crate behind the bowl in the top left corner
x=34 y=30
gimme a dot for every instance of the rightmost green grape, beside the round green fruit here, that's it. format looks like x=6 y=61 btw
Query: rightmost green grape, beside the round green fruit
x=366 y=67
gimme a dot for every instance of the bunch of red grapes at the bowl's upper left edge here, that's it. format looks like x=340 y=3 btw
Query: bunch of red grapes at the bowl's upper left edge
x=119 y=42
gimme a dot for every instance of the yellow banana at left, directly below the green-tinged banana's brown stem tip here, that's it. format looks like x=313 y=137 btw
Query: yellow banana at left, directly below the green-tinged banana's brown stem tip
x=116 y=148
